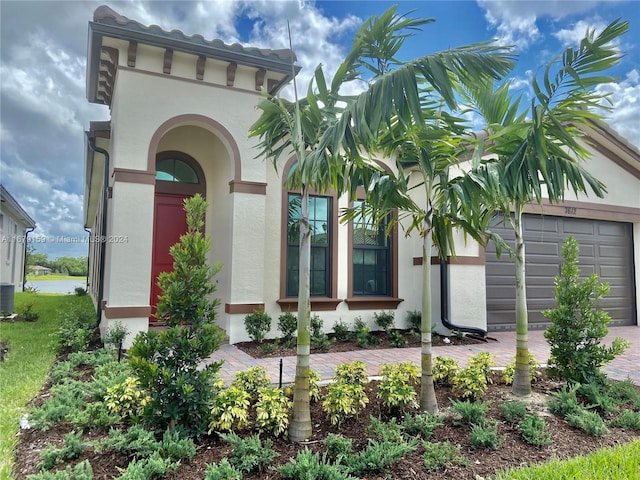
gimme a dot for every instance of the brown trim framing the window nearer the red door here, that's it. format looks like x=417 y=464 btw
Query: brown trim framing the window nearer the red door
x=322 y=303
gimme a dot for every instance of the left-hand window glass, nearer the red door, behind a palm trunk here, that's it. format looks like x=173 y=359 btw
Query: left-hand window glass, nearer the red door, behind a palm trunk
x=320 y=225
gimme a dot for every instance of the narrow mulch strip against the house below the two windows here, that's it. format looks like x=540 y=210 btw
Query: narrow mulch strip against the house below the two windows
x=275 y=349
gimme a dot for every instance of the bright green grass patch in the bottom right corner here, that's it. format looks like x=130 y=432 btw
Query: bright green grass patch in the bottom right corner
x=618 y=463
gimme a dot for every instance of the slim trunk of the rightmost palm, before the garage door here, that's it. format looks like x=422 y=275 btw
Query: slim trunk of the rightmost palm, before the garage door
x=521 y=379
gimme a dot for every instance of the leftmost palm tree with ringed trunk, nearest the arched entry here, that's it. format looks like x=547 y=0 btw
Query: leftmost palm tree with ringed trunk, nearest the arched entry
x=285 y=127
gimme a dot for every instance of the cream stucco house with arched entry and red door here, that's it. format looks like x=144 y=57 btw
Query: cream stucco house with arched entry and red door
x=181 y=108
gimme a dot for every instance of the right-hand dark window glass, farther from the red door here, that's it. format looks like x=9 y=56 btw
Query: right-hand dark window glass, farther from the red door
x=371 y=258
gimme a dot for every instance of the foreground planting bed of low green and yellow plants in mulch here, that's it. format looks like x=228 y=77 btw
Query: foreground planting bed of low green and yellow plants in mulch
x=467 y=438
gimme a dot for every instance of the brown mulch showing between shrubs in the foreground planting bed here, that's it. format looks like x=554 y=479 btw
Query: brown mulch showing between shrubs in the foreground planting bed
x=566 y=442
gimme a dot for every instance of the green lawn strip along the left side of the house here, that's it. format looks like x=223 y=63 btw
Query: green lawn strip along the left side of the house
x=32 y=352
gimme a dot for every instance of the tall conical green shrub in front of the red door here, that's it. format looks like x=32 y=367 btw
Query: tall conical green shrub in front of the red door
x=169 y=364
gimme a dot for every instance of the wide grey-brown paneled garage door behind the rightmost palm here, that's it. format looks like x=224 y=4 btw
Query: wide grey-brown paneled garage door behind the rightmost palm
x=605 y=249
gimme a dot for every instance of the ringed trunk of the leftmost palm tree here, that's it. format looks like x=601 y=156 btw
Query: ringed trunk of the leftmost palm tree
x=300 y=426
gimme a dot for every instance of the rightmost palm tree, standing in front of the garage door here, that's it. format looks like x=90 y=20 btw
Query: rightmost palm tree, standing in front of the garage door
x=537 y=151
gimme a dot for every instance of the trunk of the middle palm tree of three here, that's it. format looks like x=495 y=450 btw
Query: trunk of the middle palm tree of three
x=428 y=400
